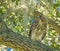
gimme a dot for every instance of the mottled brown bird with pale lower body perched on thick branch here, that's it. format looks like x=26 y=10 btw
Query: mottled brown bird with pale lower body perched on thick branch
x=38 y=27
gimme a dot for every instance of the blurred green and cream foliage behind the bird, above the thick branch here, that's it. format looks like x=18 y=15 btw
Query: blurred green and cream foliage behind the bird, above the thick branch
x=17 y=16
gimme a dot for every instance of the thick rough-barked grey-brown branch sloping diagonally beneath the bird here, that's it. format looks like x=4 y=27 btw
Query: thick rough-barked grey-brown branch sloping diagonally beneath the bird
x=19 y=42
